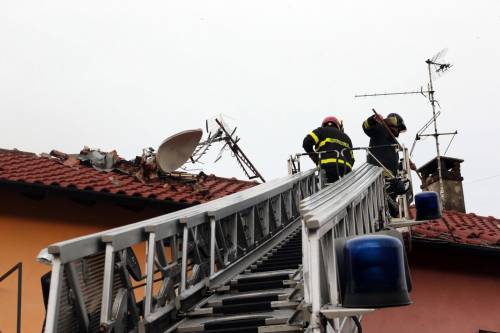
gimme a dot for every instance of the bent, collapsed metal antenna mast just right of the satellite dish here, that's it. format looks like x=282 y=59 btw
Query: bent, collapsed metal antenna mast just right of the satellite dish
x=222 y=132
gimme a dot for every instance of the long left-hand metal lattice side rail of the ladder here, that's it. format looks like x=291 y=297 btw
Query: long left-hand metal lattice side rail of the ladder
x=271 y=208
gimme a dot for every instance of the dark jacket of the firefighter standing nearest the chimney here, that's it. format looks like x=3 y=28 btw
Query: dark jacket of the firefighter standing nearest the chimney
x=379 y=136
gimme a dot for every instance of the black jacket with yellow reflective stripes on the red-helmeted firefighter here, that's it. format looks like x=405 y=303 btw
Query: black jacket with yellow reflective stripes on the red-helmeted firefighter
x=330 y=140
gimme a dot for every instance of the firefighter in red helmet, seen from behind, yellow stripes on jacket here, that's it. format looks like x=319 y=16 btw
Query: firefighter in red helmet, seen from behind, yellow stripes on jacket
x=337 y=159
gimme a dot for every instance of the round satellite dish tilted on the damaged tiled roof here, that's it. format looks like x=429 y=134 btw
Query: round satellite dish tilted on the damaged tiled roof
x=177 y=149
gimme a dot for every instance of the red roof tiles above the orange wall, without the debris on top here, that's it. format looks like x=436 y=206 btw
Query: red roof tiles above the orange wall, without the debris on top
x=28 y=168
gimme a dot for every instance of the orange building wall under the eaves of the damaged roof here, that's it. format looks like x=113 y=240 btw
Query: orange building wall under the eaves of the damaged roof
x=28 y=225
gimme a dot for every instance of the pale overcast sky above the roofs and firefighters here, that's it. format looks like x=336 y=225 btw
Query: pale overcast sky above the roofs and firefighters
x=125 y=75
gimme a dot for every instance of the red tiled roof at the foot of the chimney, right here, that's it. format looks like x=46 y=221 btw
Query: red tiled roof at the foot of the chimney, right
x=460 y=228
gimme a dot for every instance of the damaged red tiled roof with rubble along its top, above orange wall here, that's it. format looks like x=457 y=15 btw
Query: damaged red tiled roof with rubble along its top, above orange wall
x=96 y=171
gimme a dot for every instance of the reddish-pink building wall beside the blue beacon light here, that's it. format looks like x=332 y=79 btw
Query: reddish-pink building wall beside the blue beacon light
x=453 y=293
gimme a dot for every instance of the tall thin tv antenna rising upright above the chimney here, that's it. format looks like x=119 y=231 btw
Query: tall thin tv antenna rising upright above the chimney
x=436 y=68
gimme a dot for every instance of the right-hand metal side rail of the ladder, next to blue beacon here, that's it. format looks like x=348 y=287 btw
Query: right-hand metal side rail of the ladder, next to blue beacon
x=353 y=205
